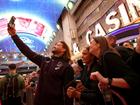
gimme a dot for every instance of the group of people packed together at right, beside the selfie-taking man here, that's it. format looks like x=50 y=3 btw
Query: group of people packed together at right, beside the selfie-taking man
x=111 y=79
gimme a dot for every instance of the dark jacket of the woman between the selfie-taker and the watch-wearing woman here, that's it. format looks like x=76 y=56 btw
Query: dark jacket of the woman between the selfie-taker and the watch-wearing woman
x=91 y=95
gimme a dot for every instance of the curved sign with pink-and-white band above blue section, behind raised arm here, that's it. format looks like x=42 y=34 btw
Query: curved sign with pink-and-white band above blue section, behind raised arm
x=32 y=30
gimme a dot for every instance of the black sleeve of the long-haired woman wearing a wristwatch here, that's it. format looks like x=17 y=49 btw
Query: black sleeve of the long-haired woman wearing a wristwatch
x=117 y=68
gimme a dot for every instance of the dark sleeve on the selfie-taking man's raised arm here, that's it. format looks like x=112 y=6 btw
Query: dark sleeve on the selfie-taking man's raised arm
x=34 y=57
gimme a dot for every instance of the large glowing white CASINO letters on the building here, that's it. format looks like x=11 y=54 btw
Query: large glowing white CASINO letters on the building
x=115 y=22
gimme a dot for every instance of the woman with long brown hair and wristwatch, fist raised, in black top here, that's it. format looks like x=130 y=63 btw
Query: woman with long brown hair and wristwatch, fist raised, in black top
x=114 y=72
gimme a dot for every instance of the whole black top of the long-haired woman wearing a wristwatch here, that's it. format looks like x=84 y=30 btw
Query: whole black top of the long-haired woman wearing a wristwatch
x=114 y=67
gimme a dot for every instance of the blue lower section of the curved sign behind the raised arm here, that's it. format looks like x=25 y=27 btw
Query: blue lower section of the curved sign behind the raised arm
x=34 y=42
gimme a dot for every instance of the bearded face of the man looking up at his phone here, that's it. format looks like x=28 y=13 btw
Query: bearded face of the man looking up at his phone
x=58 y=48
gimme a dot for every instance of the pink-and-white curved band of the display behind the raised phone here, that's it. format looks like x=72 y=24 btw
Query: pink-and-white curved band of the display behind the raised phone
x=26 y=25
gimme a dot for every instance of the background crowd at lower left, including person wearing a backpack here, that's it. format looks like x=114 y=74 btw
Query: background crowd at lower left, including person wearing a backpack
x=18 y=89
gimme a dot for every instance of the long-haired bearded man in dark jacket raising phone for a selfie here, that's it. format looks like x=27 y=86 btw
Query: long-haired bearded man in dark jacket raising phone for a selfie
x=55 y=72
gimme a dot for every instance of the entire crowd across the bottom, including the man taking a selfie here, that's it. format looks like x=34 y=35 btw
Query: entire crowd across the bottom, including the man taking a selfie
x=106 y=74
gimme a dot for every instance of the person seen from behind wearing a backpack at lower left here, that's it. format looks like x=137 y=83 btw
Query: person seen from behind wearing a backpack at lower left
x=11 y=87
